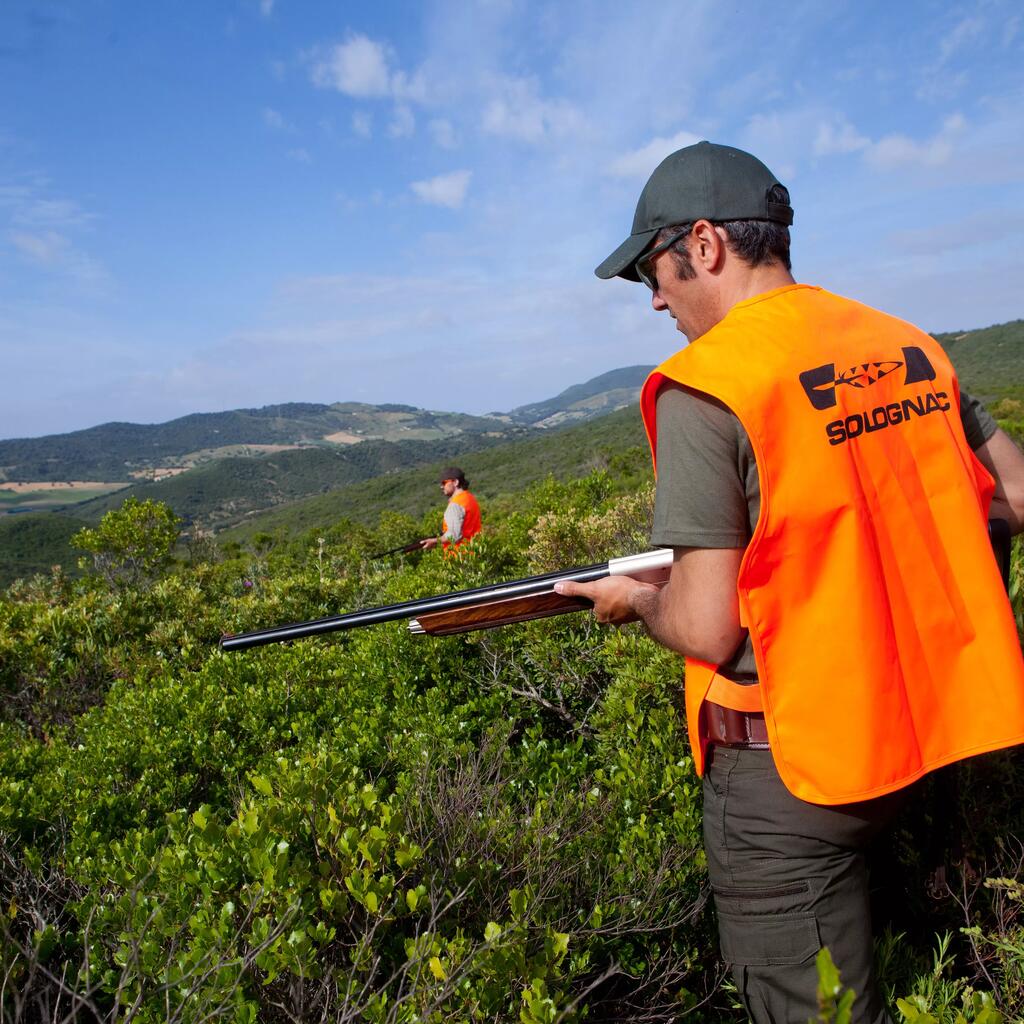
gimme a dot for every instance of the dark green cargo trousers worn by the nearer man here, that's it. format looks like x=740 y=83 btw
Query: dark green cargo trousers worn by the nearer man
x=789 y=878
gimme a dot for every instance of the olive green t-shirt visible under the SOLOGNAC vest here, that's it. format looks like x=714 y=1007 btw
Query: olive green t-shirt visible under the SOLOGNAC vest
x=709 y=495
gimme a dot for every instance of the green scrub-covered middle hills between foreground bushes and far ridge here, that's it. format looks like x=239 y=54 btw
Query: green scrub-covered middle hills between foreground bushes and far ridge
x=359 y=483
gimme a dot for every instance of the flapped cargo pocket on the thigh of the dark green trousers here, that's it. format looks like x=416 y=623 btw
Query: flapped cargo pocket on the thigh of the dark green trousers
x=756 y=934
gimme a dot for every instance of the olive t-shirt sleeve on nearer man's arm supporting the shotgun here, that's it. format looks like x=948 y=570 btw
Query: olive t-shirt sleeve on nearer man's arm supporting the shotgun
x=701 y=500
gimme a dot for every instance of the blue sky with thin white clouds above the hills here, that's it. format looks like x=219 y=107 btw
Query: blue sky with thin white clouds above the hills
x=214 y=205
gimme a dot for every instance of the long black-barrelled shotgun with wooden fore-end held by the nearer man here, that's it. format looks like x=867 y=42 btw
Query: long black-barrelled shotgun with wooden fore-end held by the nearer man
x=480 y=609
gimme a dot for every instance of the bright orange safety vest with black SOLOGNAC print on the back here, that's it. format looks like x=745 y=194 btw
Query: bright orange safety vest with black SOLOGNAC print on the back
x=884 y=642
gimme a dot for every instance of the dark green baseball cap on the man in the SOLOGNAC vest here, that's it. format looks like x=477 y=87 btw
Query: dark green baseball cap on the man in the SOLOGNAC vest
x=710 y=182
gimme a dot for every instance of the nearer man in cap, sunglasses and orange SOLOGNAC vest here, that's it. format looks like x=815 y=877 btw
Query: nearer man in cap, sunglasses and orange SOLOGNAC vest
x=826 y=487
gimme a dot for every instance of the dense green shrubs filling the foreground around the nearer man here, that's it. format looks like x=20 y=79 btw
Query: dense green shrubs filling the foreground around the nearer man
x=377 y=827
